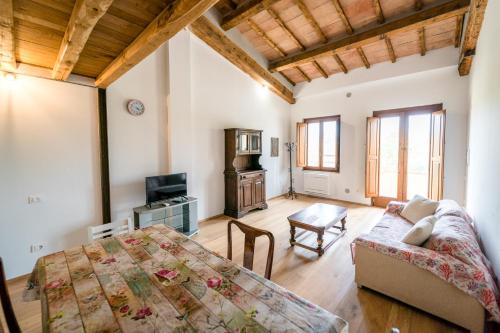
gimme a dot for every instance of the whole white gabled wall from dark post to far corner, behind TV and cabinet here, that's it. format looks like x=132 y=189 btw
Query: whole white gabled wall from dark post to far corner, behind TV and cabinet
x=191 y=94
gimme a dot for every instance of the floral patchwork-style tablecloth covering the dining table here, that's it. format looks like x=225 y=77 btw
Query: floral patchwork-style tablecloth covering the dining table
x=158 y=280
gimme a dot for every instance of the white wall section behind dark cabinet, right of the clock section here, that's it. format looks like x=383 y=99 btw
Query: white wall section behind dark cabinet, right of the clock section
x=221 y=96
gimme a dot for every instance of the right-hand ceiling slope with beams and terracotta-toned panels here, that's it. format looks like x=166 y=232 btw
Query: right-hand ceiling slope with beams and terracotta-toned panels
x=285 y=31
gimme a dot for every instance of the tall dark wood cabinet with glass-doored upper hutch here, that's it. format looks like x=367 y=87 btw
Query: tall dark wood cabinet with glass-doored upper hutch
x=244 y=177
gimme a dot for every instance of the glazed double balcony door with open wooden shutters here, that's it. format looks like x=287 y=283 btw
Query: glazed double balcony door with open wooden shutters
x=400 y=156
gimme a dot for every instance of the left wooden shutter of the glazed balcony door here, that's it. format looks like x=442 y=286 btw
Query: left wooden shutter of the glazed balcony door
x=372 y=157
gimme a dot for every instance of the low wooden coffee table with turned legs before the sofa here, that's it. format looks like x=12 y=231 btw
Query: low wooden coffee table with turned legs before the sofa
x=318 y=218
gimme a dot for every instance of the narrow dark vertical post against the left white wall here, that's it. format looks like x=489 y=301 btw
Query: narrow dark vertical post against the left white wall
x=104 y=159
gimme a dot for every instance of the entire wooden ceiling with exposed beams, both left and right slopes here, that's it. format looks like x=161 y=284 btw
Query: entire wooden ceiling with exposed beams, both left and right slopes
x=302 y=39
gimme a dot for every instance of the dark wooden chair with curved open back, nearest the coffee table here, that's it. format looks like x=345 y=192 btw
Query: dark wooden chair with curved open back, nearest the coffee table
x=250 y=234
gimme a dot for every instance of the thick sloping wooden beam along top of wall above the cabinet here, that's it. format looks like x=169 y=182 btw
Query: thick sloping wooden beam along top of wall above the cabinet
x=216 y=39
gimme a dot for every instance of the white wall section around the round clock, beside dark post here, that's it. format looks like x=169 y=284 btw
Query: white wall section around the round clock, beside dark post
x=137 y=145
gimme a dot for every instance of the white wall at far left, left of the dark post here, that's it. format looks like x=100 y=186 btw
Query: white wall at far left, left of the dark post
x=48 y=147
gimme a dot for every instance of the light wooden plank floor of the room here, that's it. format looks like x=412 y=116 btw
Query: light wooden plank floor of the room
x=327 y=281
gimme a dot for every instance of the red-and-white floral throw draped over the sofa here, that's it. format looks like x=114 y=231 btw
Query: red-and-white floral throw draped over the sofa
x=452 y=252
